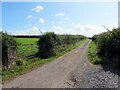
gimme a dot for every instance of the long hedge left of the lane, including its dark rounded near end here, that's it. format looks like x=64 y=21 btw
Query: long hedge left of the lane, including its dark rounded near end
x=50 y=43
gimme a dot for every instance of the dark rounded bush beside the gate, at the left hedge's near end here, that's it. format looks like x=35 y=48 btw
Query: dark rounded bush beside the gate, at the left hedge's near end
x=47 y=43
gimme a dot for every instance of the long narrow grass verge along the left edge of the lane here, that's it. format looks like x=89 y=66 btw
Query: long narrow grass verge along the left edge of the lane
x=34 y=62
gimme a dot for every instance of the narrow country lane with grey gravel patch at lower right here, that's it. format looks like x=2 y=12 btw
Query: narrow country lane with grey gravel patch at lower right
x=72 y=70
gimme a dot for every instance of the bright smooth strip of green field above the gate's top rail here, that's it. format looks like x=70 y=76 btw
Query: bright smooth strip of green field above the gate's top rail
x=27 y=40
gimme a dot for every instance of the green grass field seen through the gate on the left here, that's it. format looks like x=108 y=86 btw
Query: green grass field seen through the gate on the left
x=26 y=50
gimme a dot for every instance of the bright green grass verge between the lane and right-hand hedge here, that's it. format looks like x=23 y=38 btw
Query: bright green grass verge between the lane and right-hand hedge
x=92 y=54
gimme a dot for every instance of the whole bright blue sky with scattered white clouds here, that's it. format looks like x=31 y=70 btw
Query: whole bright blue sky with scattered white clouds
x=86 y=18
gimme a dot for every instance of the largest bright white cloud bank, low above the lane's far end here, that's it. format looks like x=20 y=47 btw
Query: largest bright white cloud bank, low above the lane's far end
x=87 y=30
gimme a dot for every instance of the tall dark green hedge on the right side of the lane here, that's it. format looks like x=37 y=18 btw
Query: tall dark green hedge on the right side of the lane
x=108 y=47
